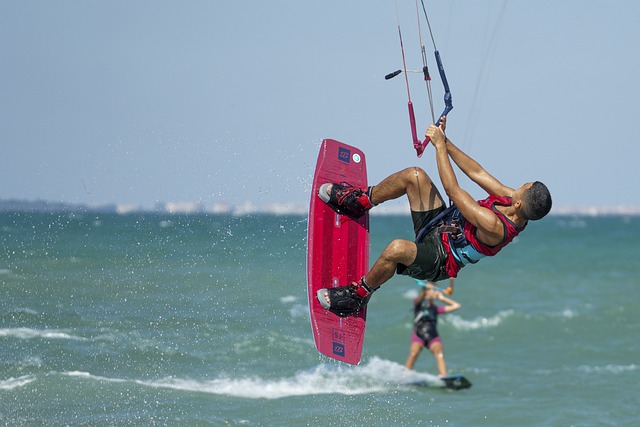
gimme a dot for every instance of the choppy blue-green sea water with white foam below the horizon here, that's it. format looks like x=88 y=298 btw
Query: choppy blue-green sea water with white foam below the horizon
x=150 y=319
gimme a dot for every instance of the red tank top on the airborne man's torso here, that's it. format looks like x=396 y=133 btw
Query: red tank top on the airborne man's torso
x=510 y=232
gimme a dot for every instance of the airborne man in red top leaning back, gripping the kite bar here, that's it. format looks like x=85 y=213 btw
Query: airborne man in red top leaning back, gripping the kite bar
x=447 y=239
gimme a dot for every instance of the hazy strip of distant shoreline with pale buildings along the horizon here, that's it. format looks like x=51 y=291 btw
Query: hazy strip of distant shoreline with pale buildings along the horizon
x=248 y=208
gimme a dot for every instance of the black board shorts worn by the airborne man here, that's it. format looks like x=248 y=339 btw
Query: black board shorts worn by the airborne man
x=431 y=258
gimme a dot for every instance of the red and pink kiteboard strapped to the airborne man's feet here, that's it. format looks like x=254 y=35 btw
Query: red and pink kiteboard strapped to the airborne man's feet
x=337 y=252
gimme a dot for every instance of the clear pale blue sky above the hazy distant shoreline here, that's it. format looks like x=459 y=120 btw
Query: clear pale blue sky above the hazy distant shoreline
x=228 y=101
